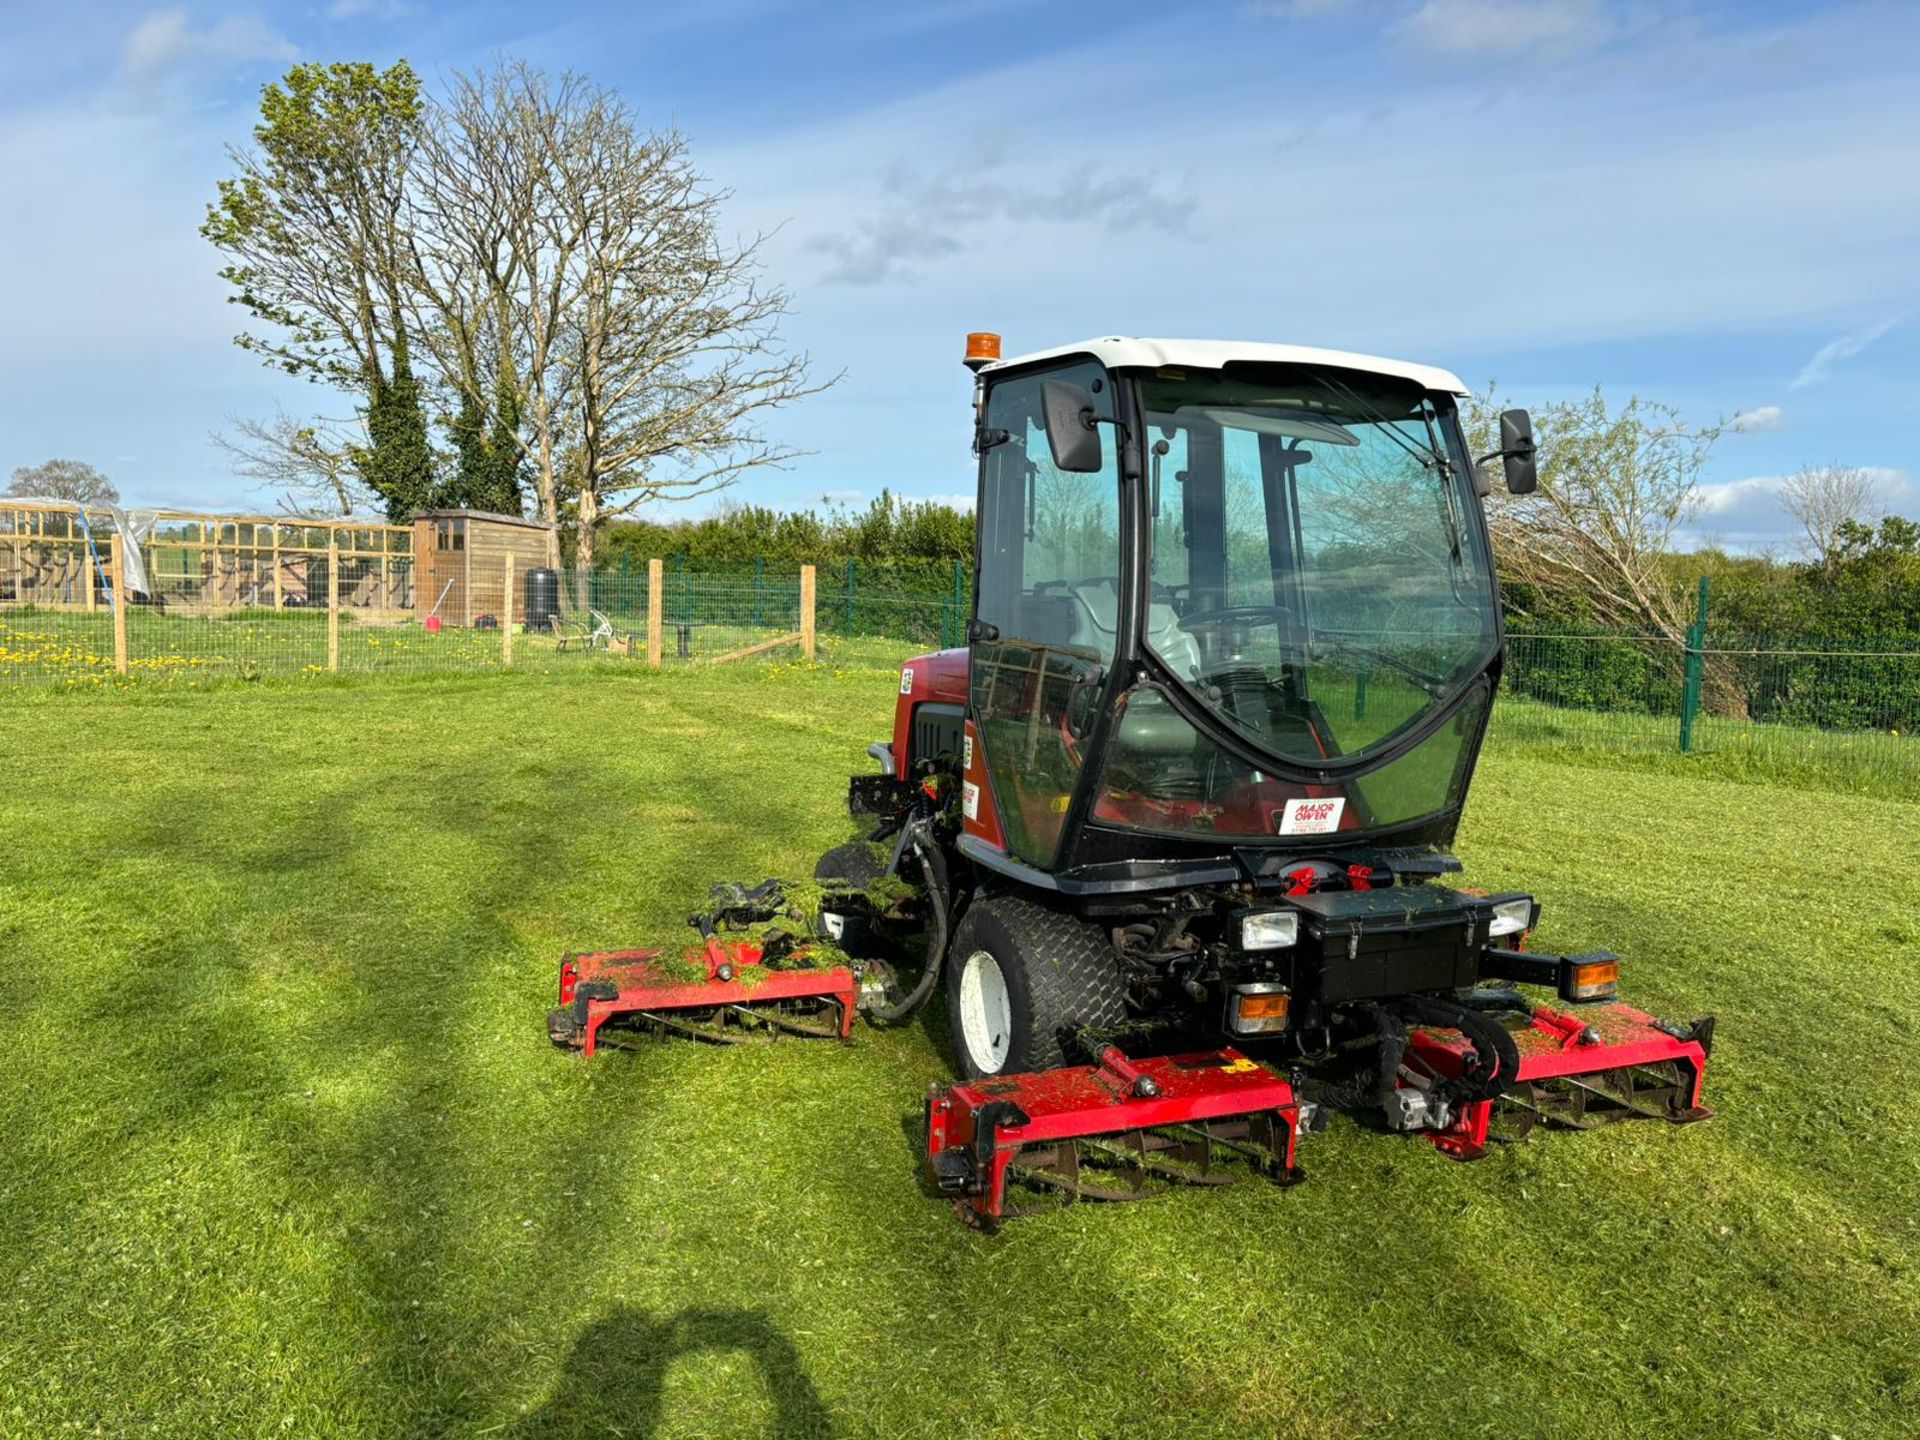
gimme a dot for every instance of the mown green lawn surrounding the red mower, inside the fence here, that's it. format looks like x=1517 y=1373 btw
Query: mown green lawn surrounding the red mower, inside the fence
x=285 y=1151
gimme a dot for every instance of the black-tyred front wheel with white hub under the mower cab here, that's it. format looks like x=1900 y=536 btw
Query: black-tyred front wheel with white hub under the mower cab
x=1022 y=980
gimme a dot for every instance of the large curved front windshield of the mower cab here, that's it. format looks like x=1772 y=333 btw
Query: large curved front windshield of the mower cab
x=1318 y=569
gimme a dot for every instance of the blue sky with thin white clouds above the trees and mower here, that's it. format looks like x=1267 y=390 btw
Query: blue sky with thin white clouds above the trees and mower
x=1708 y=204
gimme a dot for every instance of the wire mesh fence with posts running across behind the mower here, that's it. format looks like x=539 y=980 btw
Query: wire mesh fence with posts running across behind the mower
x=1848 y=711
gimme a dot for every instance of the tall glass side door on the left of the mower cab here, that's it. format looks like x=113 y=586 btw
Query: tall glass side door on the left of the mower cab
x=1047 y=608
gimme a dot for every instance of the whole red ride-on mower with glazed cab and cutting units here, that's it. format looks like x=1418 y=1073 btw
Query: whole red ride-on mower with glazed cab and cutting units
x=1176 y=823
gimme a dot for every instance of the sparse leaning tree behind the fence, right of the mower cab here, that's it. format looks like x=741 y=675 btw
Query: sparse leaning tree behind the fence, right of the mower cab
x=1616 y=489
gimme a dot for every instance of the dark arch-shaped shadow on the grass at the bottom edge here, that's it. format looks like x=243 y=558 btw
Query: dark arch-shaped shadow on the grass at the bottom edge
x=615 y=1378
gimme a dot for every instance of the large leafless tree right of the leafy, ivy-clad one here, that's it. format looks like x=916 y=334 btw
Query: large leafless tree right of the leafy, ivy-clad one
x=588 y=254
